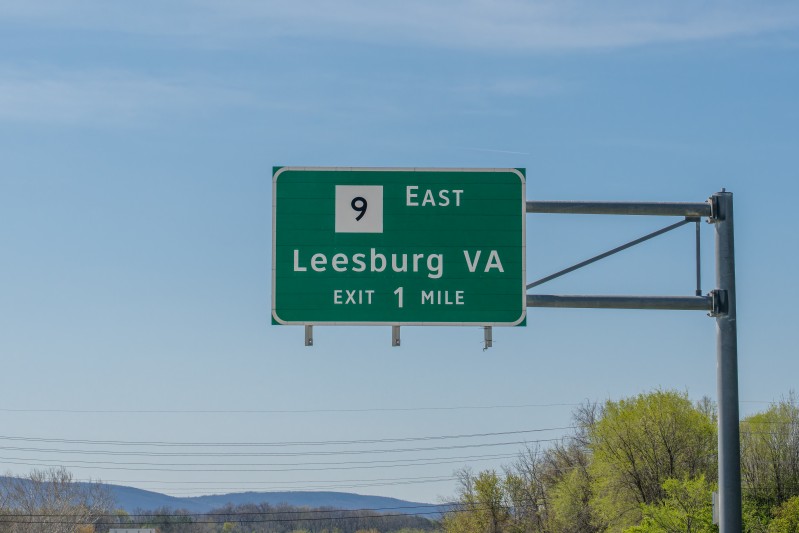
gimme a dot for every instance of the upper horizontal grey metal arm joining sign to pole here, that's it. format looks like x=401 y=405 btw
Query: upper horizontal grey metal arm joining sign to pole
x=677 y=209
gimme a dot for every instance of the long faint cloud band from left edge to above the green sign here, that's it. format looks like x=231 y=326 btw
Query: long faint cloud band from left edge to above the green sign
x=127 y=98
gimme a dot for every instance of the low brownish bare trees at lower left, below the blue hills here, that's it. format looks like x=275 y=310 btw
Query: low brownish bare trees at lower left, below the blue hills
x=50 y=501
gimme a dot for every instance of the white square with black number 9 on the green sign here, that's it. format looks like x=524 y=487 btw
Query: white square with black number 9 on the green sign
x=359 y=209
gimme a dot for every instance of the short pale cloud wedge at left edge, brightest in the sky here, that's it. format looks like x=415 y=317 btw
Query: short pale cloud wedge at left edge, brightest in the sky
x=99 y=97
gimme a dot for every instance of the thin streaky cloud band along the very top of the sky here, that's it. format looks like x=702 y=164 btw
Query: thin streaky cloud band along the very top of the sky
x=484 y=24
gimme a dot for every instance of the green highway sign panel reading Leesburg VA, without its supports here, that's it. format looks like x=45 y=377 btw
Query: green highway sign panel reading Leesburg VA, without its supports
x=398 y=246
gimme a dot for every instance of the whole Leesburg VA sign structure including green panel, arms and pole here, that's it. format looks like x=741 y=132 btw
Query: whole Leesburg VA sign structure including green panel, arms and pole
x=447 y=246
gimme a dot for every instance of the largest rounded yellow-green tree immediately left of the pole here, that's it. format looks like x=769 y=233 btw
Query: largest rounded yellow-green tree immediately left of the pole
x=638 y=444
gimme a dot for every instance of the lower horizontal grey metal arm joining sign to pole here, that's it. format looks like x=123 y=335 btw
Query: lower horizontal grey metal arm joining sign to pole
x=674 y=303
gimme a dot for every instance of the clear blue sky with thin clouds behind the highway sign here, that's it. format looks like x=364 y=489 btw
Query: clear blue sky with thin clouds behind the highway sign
x=136 y=148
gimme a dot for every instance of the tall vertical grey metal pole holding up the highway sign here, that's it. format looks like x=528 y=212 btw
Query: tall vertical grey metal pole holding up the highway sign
x=727 y=369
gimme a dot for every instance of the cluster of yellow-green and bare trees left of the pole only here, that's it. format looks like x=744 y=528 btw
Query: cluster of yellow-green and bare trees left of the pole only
x=647 y=462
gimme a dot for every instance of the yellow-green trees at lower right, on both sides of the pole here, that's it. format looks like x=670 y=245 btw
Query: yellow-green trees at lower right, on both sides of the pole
x=644 y=464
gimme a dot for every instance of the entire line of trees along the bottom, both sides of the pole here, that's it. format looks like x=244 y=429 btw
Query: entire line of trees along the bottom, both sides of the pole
x=645 y=464
